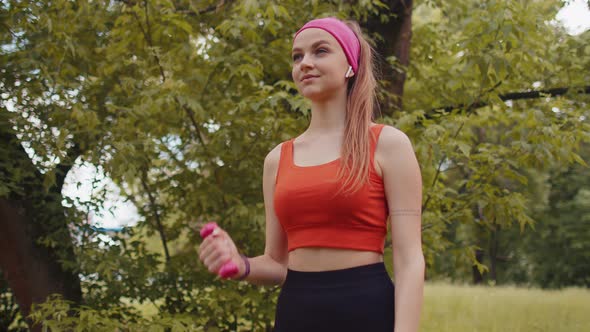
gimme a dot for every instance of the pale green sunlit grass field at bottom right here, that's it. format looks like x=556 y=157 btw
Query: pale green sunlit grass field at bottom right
x=453 y=308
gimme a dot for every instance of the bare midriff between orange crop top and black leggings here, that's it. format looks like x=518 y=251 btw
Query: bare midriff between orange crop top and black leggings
x=314 y=259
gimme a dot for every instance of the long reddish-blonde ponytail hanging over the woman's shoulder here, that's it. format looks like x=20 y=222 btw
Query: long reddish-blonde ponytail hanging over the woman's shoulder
x=360 y=105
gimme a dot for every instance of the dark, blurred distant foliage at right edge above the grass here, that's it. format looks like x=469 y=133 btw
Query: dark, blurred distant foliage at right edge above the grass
x=563 y=231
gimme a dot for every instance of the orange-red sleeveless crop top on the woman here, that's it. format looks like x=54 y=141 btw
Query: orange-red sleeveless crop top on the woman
x=312 y=216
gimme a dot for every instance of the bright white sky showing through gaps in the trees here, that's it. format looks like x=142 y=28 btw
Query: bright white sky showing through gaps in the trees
x=118 y=213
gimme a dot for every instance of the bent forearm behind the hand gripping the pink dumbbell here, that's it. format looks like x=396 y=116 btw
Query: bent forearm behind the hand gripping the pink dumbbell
x=264 y=270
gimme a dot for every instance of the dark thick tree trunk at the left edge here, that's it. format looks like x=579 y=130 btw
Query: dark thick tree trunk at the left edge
x=27 y=213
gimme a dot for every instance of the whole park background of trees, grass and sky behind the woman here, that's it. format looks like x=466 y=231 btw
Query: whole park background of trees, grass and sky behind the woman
x=174 y=105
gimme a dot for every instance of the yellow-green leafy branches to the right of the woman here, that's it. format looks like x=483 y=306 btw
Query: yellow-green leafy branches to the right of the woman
x=475 y=161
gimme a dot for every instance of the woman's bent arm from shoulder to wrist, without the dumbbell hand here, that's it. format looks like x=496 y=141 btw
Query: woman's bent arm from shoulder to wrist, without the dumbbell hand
x=271 y=267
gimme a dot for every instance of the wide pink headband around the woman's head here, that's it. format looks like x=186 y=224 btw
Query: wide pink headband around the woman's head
x=343 y=34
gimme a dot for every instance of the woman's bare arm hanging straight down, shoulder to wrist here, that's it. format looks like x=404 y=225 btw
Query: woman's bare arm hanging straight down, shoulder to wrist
x=403 y=188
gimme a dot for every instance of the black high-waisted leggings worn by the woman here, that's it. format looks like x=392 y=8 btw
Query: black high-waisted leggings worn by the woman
x=356 y=299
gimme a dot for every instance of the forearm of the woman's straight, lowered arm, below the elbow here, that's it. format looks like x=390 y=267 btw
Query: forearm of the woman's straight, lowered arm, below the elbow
x=409 y=292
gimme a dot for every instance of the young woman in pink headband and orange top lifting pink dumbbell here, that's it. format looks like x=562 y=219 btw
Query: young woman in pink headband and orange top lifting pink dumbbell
x=329 y=196
